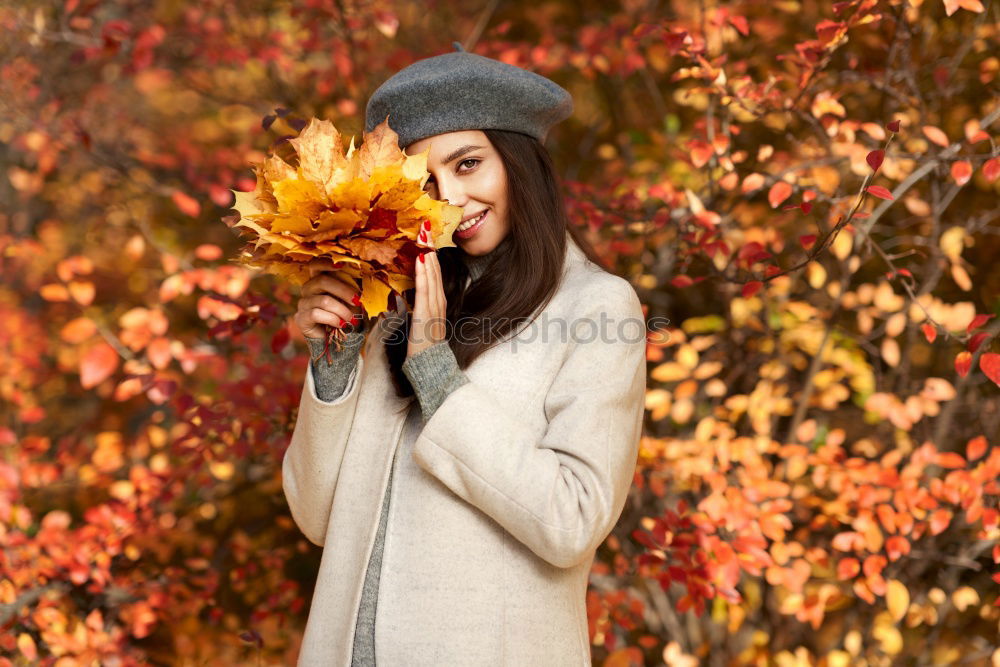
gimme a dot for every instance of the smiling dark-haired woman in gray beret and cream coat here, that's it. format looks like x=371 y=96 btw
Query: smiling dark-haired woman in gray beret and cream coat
x=462 y=532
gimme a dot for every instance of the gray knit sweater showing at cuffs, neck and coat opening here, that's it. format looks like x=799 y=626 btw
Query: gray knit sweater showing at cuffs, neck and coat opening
x=434 y=374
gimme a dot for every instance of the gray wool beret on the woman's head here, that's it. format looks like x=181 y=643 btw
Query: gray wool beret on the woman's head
x=466 y=91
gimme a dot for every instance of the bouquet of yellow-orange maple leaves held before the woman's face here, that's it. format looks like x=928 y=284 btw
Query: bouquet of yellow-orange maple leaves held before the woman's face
x=358 y=214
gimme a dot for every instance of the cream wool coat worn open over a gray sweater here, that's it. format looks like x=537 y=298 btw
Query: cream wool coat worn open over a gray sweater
x=497 y=507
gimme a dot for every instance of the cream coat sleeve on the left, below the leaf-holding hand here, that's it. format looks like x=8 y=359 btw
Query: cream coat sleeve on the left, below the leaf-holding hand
x=311 y=464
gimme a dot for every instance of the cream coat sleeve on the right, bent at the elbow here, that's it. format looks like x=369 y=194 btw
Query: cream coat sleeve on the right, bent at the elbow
x=562 y=494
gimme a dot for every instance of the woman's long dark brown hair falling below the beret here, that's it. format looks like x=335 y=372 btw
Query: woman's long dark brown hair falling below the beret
x=523 y=271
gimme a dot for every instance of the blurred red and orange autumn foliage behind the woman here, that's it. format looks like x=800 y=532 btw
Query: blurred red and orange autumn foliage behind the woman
x=818 y=477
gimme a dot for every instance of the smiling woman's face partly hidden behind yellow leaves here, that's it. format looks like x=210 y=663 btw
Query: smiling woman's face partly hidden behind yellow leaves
x=466 y=171
